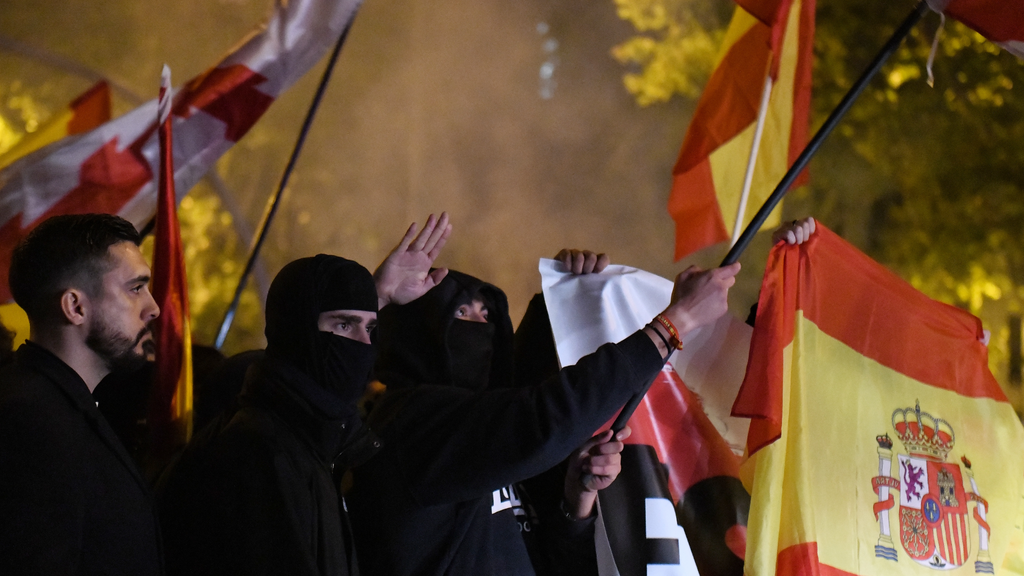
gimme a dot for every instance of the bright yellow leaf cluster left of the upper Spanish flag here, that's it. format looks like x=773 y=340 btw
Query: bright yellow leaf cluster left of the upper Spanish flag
x=674 y=54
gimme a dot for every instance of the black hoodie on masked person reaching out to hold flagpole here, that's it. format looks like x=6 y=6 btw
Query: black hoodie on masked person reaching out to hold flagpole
x=442 y=497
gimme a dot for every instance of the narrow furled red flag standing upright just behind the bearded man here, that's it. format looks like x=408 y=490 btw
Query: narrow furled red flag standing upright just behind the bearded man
x=172 y=399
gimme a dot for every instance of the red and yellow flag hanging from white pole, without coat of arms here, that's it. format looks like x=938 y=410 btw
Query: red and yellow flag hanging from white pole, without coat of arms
x=765 y=37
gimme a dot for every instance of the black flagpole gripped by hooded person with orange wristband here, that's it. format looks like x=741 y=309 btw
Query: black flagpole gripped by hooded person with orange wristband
x=800 y=164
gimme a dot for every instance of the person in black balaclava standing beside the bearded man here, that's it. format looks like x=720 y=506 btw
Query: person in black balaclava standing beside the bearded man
x=259 y=495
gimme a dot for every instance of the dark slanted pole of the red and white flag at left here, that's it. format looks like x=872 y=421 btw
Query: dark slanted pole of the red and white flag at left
x=275 y=200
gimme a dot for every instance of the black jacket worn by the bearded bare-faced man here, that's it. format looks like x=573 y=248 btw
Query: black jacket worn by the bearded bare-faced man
x=72 y=501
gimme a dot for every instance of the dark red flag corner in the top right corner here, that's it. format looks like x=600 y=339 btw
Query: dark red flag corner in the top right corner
x=1000 y=21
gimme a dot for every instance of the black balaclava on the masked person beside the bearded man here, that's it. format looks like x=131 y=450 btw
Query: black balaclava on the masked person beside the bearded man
x=298 y=295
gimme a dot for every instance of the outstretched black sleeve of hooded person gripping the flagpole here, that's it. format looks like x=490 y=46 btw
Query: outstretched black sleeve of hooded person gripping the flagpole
x=453 y=445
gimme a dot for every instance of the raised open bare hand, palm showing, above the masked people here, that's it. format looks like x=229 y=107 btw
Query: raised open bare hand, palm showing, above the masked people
x=405 y=275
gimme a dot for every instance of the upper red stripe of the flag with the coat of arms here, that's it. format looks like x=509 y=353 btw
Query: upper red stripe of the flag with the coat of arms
x=860 y=303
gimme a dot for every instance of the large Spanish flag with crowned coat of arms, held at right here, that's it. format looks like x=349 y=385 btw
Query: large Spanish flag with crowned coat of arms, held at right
x=881 y=443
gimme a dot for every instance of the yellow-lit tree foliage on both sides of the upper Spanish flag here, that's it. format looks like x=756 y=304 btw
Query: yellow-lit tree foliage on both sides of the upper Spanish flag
x=928 y=181
